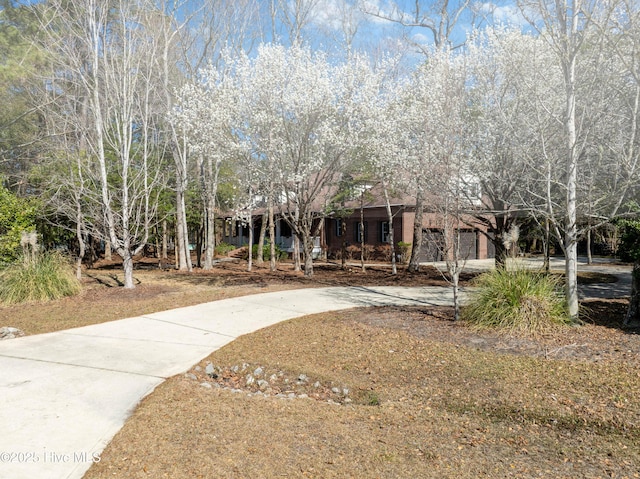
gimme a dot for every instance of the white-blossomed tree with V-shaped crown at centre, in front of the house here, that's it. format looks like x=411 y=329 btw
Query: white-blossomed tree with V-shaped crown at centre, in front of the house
x=298 y=120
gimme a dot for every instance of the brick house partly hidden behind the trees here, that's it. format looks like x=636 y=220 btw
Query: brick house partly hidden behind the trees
x=342 y=233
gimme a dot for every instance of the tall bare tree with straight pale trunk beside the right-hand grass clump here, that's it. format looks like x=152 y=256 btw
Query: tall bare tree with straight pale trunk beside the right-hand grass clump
x=570 y=27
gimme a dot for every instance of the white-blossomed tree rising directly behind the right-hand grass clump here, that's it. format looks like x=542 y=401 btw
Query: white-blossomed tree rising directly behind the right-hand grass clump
x=512 y=88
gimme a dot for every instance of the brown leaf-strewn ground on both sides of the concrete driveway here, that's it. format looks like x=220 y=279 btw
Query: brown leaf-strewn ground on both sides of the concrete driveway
x=368 y=393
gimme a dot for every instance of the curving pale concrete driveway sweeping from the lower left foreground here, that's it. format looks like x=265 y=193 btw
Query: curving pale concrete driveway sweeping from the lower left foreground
x=64 y=395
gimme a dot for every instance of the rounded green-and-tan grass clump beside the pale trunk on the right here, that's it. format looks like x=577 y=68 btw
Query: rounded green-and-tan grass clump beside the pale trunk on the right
x=518 y=301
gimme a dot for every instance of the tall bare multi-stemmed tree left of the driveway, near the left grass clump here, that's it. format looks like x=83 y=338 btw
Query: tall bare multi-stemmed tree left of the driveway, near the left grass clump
x=101 y=48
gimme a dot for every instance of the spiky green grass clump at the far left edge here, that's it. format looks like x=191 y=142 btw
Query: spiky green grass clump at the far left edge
x=48 y=276
